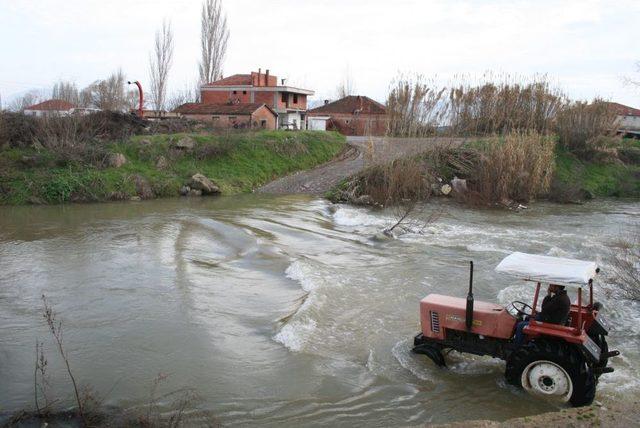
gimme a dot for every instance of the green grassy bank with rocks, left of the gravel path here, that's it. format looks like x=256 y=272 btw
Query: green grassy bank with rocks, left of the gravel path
x=155 y=167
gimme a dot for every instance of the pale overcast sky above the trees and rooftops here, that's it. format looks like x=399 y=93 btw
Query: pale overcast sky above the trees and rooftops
x=586 y=47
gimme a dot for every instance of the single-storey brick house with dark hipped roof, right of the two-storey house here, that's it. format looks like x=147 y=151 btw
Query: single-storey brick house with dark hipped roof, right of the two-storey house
x=354 y=115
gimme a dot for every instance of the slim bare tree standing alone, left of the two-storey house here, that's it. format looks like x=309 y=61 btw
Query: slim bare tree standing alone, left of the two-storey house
x=159 y=64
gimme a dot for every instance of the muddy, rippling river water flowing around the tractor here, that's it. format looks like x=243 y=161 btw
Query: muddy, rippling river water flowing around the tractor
x=281 y=311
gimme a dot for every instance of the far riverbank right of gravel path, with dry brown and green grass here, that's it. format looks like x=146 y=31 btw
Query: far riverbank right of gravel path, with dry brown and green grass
x=505 y=171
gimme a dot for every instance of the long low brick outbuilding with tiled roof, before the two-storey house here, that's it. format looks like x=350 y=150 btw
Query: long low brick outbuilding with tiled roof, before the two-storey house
x=237 y=115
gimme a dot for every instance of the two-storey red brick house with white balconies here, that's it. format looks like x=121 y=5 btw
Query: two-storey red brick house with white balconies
x=289 y=103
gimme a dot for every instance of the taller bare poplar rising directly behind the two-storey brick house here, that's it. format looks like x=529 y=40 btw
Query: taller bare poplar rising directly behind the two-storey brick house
x=214 y=36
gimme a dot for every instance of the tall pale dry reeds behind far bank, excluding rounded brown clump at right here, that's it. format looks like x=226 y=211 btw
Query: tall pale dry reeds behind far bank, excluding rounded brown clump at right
x=501 y=104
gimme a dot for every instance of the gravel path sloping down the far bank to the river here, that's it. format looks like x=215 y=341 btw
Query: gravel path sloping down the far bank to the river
x=360 y=153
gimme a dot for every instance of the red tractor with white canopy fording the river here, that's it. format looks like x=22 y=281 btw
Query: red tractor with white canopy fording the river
x=556 y=361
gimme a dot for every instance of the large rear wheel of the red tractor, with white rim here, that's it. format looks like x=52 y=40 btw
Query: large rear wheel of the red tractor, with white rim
x=552 y=369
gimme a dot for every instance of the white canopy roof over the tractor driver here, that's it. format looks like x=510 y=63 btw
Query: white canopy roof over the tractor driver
x=552 y=270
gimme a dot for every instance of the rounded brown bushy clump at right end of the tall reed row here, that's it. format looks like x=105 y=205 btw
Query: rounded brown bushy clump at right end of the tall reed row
x=581 y=127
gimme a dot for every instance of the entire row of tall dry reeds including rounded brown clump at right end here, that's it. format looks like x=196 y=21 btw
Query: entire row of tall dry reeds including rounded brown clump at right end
x=498 y=105
